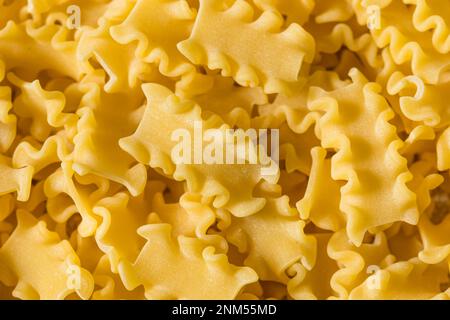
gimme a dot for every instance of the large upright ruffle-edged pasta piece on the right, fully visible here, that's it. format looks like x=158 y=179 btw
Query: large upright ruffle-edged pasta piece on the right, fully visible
x=376 y=193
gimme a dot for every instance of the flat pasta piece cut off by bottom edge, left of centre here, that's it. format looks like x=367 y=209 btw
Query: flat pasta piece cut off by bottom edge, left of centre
x=187 y=260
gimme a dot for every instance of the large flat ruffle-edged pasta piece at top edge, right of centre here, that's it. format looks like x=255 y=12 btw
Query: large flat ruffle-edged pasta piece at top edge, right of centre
x=240 y=59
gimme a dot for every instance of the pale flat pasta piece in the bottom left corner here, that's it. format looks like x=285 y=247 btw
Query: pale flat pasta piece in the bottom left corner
x=43 y=258
